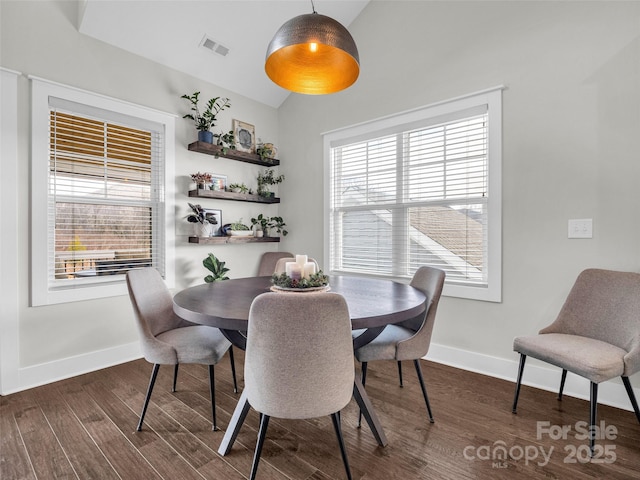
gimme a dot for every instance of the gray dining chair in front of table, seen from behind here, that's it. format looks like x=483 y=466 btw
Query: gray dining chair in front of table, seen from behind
x=299 y=360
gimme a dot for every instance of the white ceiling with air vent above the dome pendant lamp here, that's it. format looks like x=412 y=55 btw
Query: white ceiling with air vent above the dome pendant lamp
x=170 y=32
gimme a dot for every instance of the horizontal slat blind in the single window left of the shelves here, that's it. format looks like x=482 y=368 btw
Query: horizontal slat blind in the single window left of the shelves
x=105 y=187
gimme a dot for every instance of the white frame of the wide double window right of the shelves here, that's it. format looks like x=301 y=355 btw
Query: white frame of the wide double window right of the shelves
x=492 y=99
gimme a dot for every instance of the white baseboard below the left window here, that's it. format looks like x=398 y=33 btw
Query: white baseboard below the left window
x=36 y=375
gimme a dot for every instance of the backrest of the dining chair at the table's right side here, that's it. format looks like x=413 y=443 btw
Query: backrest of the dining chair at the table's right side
x=429 y=281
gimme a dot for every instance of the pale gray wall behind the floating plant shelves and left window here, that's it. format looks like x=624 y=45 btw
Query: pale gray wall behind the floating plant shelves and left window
x=41 y=39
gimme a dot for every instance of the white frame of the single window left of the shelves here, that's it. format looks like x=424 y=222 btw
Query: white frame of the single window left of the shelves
x=41 y=93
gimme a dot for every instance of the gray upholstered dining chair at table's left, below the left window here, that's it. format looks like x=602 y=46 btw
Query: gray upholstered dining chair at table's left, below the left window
x=167 y=339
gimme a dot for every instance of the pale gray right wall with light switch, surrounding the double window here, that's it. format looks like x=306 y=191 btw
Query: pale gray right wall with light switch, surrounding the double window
x=571 y=114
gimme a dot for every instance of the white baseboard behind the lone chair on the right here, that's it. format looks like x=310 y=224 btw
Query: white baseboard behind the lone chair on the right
x=546 y=378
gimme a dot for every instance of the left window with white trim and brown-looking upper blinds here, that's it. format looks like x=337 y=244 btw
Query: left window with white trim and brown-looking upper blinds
x=99 y=193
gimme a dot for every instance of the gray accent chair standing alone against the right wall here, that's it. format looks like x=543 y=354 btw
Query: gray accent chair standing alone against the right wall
x=596 y=335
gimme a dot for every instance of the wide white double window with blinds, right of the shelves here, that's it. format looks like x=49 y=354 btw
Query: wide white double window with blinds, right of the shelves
x=420 y=188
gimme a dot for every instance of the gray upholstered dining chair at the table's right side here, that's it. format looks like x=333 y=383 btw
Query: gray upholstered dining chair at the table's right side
x=408 y=340
